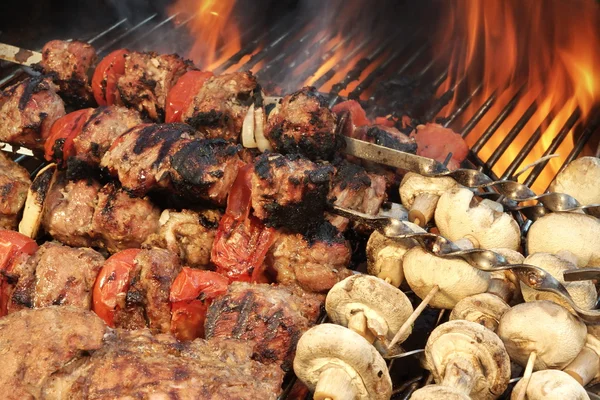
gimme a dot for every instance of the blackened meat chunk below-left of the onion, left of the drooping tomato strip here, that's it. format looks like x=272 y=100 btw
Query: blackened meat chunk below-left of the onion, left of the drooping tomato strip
x=205 y=169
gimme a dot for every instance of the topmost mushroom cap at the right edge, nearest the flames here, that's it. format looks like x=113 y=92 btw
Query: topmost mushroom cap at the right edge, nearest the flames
x=580 y=179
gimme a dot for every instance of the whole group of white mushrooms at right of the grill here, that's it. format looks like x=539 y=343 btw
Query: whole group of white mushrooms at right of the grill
x=496 y=321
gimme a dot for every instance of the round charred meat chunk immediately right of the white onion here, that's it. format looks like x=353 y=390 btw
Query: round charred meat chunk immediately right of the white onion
x=303 y=124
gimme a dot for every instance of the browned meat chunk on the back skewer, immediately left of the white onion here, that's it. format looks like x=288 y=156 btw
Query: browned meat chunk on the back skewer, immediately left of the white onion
x=219 y=108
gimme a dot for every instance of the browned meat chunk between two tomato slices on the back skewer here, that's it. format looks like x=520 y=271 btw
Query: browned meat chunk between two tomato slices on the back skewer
x=147 y=80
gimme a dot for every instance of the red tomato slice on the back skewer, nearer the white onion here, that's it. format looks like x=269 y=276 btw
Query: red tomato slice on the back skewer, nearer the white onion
x=182 y=94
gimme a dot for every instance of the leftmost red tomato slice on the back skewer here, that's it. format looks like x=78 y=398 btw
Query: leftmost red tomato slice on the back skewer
x=106 y=75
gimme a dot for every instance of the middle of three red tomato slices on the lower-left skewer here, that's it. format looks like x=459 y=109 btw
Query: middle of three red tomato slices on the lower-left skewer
x=112 y=284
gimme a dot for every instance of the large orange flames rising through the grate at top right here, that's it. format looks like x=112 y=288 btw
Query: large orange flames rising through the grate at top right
x=549 y=48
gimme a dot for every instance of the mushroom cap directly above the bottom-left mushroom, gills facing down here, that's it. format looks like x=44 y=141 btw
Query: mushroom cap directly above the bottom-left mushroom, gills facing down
x=384 y=305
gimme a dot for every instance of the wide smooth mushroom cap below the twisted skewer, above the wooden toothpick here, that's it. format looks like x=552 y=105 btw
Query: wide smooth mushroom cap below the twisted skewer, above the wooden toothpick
x=455 y=278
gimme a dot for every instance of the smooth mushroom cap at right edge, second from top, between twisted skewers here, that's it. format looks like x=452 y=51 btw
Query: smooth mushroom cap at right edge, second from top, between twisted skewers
x=573 y=232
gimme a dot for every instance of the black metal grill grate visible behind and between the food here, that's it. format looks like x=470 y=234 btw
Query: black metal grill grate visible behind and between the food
x=395 y=74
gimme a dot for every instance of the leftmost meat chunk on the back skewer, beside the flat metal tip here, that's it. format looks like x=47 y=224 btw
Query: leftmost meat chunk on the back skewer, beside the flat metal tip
x=68 y=64
